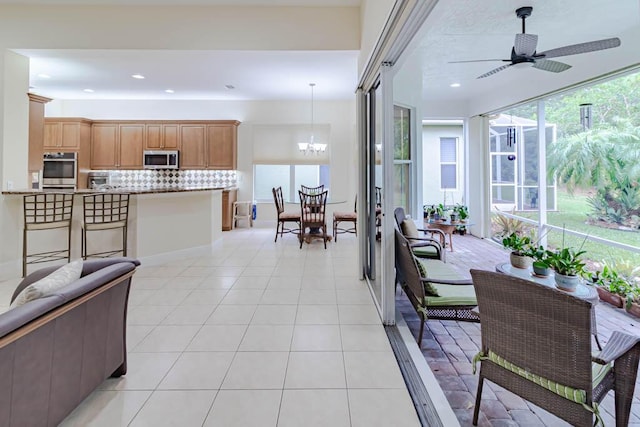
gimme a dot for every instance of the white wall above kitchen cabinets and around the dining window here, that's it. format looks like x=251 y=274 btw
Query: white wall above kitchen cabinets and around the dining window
x=337 y=116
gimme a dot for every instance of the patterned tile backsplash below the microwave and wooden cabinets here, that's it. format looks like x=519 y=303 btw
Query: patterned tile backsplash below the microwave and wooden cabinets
x=154 y=178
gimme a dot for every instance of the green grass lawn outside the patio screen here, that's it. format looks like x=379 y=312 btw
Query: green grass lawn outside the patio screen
x=572 y=214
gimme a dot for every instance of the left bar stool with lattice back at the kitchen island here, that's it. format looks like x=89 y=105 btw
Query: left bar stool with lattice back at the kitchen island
x=46 y=212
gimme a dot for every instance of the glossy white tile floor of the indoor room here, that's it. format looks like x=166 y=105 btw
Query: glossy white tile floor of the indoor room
x=255 y=334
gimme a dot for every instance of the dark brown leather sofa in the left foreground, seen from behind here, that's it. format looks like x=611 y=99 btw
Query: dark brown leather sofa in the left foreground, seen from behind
x=54 y=351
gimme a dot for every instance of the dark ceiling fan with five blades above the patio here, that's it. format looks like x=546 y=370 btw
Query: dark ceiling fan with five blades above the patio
x=524 y=50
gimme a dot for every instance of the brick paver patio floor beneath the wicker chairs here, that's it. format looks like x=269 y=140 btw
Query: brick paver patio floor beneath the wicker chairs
x=449 y=346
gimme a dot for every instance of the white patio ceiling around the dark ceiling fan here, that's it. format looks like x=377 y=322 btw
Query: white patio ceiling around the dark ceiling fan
x=459 y=30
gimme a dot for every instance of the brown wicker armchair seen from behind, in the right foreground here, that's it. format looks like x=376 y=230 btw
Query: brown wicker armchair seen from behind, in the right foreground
x=536 y=343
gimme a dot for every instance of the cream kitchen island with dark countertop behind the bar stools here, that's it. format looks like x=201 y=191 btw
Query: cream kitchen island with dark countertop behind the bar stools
x=164 y=223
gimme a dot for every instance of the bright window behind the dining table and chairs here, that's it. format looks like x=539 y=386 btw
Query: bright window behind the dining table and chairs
x=289 y=177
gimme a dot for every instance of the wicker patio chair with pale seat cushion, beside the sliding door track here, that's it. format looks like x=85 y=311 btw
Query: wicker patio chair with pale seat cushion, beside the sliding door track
x=434 y=288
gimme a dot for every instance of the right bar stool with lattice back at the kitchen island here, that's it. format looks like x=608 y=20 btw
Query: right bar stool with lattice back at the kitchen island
x=105 y=212
